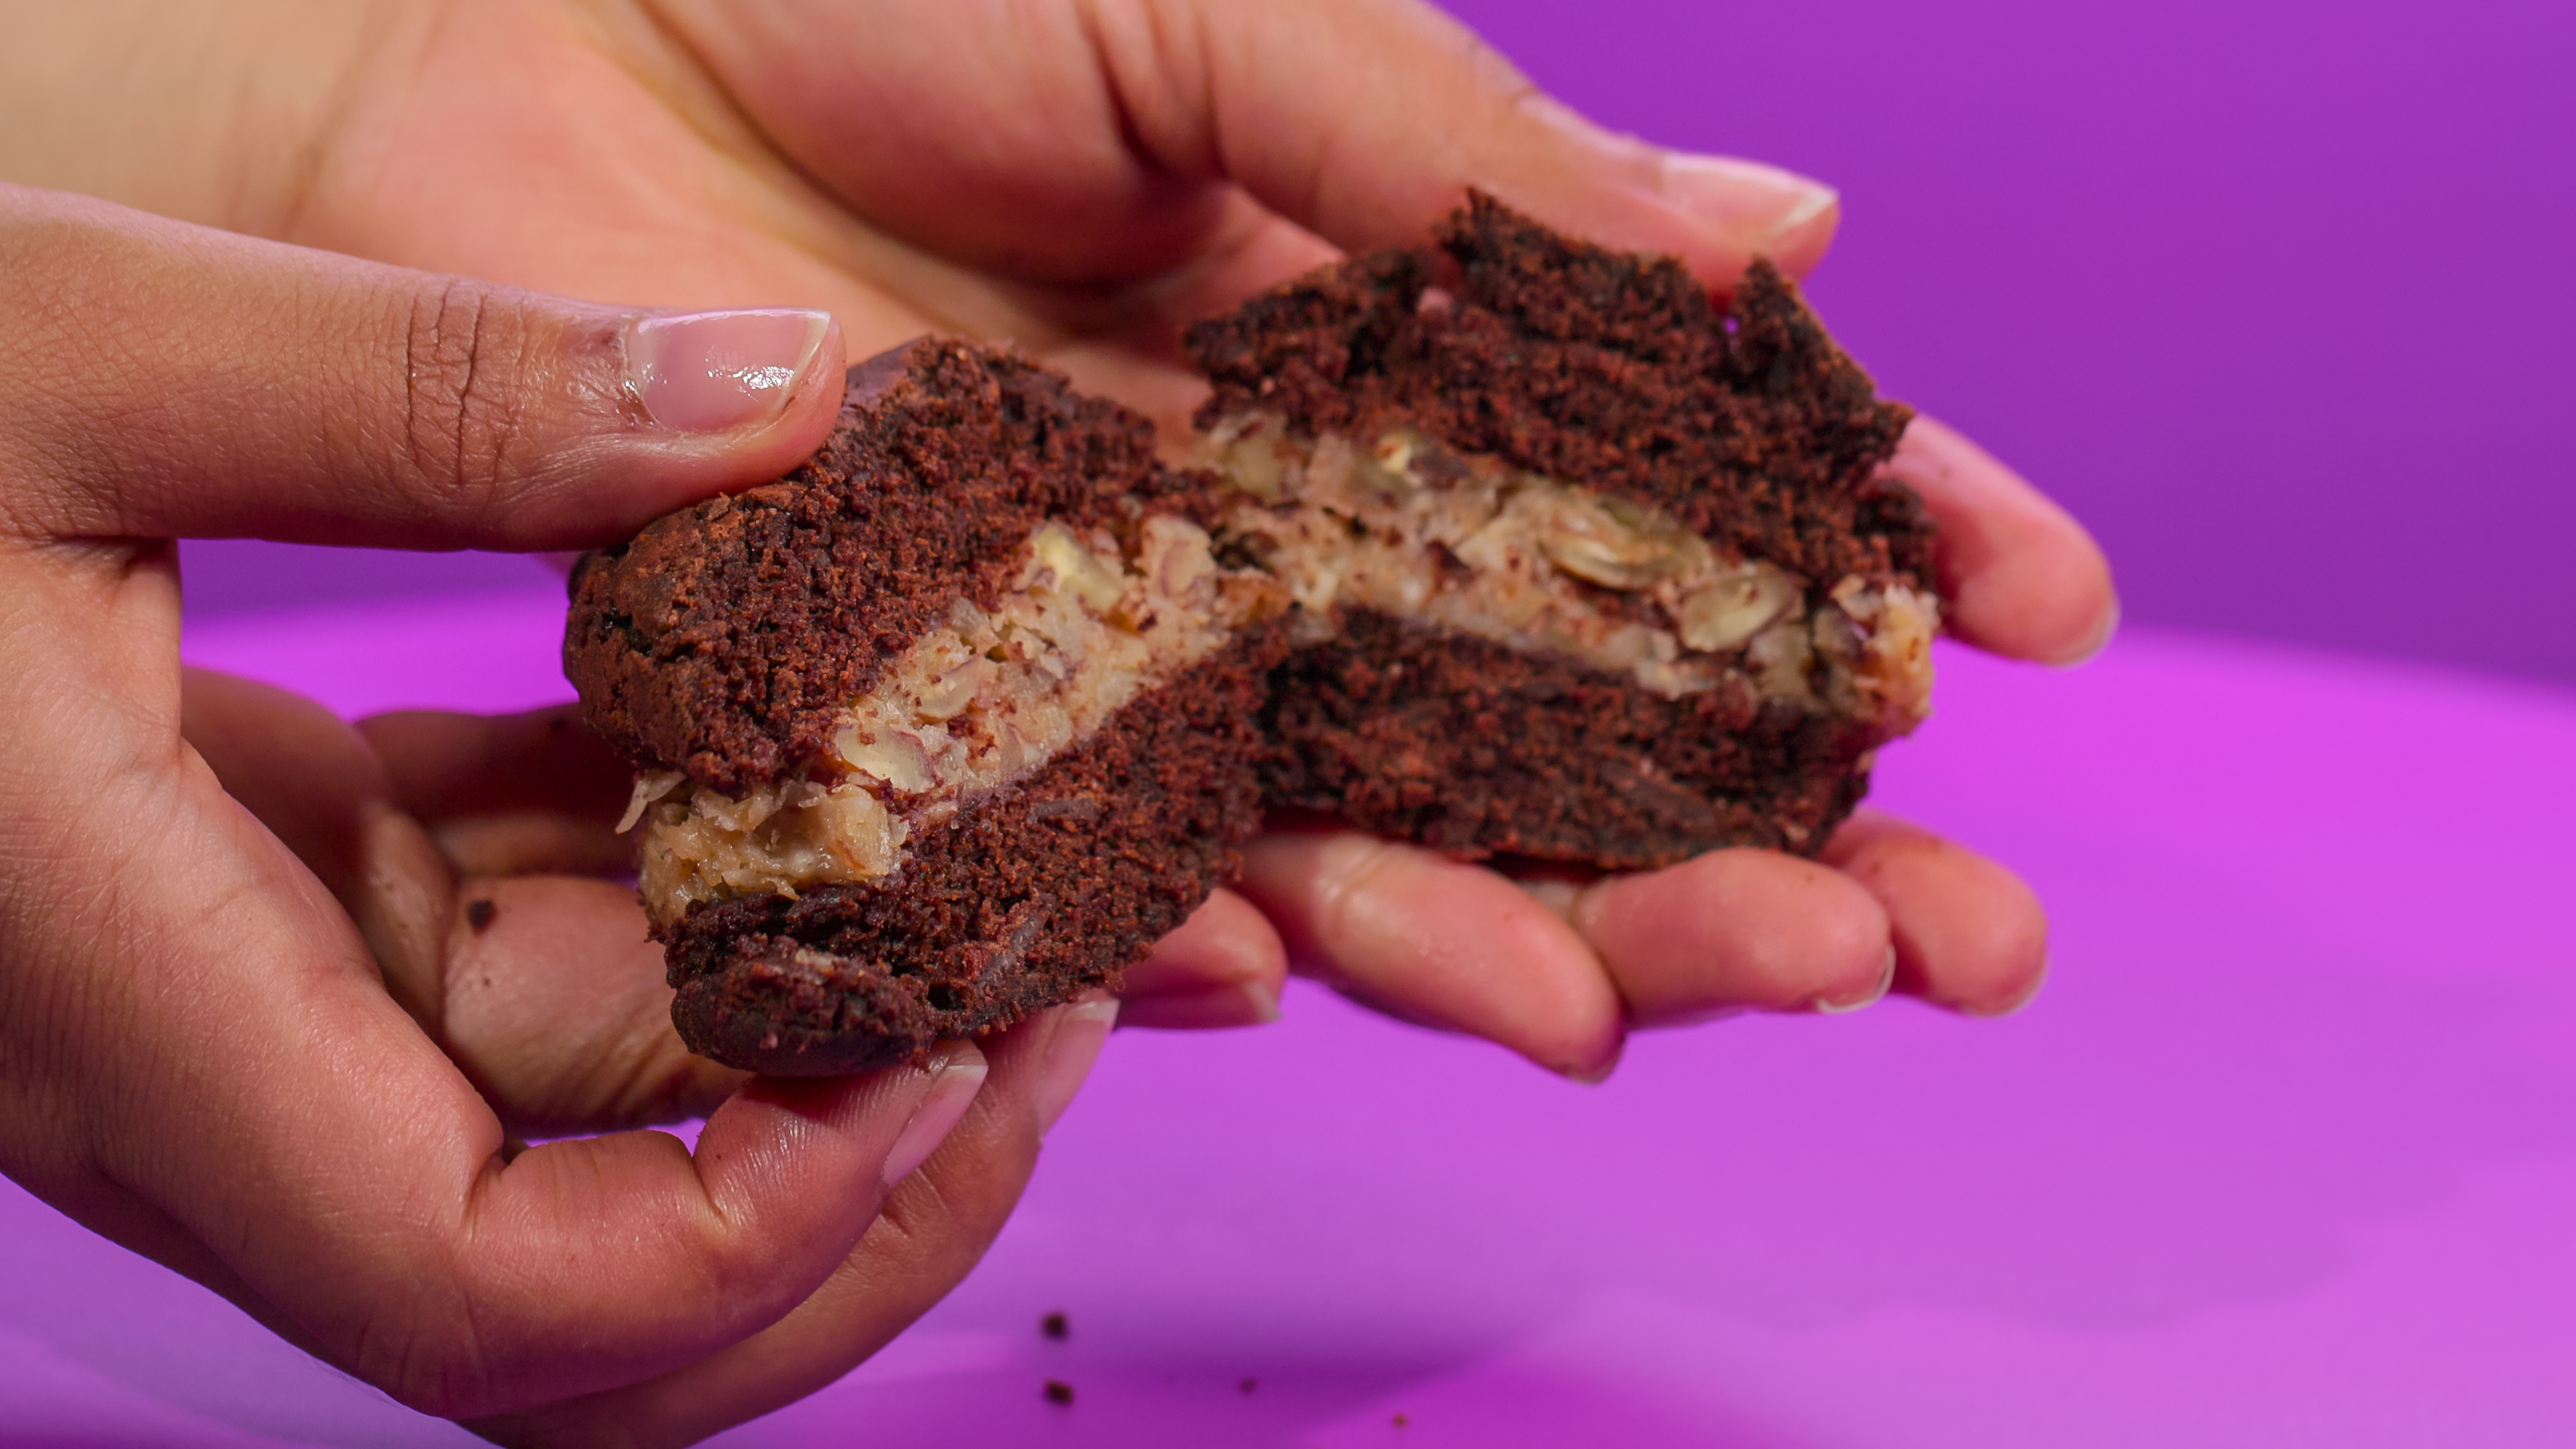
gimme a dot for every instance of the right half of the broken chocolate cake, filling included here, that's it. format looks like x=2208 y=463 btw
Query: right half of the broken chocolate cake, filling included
x=1586 y=566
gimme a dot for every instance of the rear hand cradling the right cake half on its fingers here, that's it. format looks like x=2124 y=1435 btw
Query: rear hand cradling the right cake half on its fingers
x=1083 y=179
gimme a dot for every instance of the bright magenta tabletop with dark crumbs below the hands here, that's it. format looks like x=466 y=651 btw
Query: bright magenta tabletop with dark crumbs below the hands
x=2284 y=1156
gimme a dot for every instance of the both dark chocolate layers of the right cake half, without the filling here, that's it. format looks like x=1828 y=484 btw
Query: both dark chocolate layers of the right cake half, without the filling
x=1614 y=375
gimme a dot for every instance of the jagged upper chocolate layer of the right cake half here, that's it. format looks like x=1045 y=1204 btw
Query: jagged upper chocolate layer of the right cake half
x=1598 y=370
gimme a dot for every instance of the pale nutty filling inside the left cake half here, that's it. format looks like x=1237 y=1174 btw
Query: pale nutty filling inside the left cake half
x=970 y=708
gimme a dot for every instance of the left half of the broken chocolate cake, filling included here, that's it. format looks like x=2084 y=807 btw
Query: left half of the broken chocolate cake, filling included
x=942 y=728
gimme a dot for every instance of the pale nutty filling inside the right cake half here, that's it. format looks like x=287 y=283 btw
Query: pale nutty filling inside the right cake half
x=1410 y=527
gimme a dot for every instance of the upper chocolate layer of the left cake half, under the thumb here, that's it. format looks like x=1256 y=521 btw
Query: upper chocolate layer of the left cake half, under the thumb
x=728 y=636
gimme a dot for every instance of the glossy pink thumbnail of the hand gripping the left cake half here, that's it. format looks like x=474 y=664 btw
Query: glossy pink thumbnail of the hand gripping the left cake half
x=710 y=373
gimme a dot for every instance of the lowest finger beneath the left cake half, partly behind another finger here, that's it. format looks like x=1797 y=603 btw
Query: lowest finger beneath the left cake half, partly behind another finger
x=934 y=1229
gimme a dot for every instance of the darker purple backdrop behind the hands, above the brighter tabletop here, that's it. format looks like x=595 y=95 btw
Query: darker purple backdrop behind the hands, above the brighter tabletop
x=2273 y=293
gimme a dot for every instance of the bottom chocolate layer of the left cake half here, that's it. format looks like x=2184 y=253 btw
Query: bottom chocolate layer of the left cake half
x=1021 y=899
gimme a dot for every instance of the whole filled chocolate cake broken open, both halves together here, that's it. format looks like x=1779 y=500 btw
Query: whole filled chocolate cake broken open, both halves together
x=1508 y=545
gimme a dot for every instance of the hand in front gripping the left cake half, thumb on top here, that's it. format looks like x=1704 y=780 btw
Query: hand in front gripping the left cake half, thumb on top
x=282 y=999
